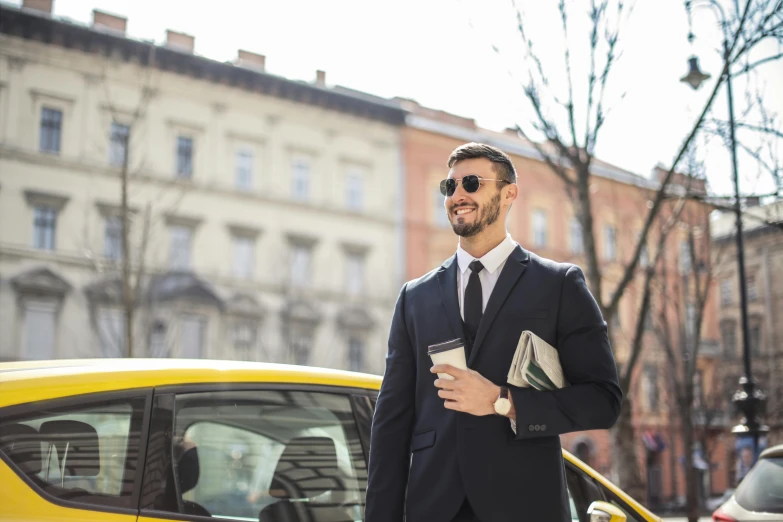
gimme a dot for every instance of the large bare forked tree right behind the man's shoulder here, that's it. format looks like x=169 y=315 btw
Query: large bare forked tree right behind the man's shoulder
x=569 y=152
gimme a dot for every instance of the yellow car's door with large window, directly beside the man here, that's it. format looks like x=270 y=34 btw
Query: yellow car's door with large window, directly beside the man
x=255 y=453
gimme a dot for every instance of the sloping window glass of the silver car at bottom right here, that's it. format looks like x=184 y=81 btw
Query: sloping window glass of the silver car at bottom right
x=762 y=488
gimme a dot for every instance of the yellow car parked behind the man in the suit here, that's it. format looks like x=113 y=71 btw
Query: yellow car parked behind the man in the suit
x=149 y=440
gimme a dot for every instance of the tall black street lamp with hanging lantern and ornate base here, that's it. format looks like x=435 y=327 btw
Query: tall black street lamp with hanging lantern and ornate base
x=749 y=399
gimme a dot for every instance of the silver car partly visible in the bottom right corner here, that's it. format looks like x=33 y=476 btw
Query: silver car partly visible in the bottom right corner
x=759 y=496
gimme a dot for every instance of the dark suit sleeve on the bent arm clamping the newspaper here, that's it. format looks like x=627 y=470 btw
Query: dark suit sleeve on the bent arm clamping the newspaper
x=592 y=399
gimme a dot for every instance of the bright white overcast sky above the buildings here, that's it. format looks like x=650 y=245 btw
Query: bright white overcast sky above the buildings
x=439 y=53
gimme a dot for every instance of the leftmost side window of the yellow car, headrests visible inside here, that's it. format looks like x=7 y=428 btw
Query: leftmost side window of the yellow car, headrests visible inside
x=84 y=453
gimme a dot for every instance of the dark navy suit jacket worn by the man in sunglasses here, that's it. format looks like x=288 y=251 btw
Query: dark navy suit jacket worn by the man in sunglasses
x=438 y=456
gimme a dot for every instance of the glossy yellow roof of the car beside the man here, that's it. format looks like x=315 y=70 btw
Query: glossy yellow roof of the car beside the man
x=29 y=381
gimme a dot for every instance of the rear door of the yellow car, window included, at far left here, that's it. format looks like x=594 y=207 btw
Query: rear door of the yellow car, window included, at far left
x=73 y=459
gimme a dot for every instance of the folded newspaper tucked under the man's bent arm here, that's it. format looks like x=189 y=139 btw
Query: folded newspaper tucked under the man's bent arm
x=536 y=364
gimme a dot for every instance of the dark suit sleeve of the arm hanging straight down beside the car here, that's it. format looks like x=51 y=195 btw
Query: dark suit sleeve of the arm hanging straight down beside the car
x=392 y=426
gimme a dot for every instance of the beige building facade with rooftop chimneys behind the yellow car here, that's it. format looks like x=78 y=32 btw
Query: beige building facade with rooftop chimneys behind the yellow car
x=265 y=212
